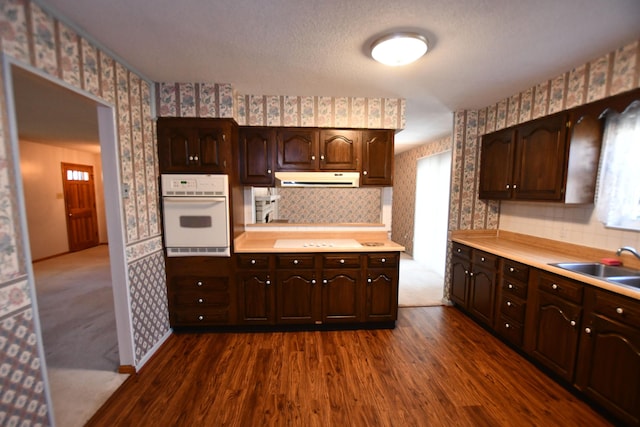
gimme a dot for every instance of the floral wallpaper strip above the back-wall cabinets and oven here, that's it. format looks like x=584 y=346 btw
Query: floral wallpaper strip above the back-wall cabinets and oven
x=218 y=100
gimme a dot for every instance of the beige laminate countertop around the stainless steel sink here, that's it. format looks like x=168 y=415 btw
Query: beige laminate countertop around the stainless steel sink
x=539 y=253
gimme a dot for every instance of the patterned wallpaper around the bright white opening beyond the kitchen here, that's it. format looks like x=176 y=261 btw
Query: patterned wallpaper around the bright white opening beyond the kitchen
x=404 y=190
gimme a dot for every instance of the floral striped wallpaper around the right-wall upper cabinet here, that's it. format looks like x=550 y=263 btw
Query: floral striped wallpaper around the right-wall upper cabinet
x=610 y=74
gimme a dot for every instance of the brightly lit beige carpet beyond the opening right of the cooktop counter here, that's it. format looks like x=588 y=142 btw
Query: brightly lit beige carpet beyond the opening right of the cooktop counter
x=418 y=286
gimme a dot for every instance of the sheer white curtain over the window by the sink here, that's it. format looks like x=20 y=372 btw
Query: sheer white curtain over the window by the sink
x=618 y=201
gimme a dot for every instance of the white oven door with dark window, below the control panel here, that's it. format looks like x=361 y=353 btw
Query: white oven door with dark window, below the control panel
x=196 y=226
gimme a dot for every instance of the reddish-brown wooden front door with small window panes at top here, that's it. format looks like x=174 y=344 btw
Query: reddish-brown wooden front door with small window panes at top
x=80 y=206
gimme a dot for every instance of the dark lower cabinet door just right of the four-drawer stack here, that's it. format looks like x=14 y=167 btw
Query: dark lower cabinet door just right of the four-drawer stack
x=556 y=324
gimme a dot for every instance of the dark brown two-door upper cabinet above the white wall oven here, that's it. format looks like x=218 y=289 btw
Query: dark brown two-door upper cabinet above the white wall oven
x=187 y=145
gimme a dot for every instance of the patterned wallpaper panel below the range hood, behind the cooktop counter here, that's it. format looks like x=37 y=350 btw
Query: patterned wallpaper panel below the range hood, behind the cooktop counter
x=330 y=205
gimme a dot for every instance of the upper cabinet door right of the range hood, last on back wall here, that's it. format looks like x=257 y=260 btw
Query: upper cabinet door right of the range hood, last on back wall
x=377 y=157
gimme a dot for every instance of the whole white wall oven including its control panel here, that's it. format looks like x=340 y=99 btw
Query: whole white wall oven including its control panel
x=196 y=215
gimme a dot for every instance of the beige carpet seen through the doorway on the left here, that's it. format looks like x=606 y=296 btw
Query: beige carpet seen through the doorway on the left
x=75 y=305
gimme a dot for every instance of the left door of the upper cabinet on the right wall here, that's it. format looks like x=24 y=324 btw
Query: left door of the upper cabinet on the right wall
x=496 y=165
